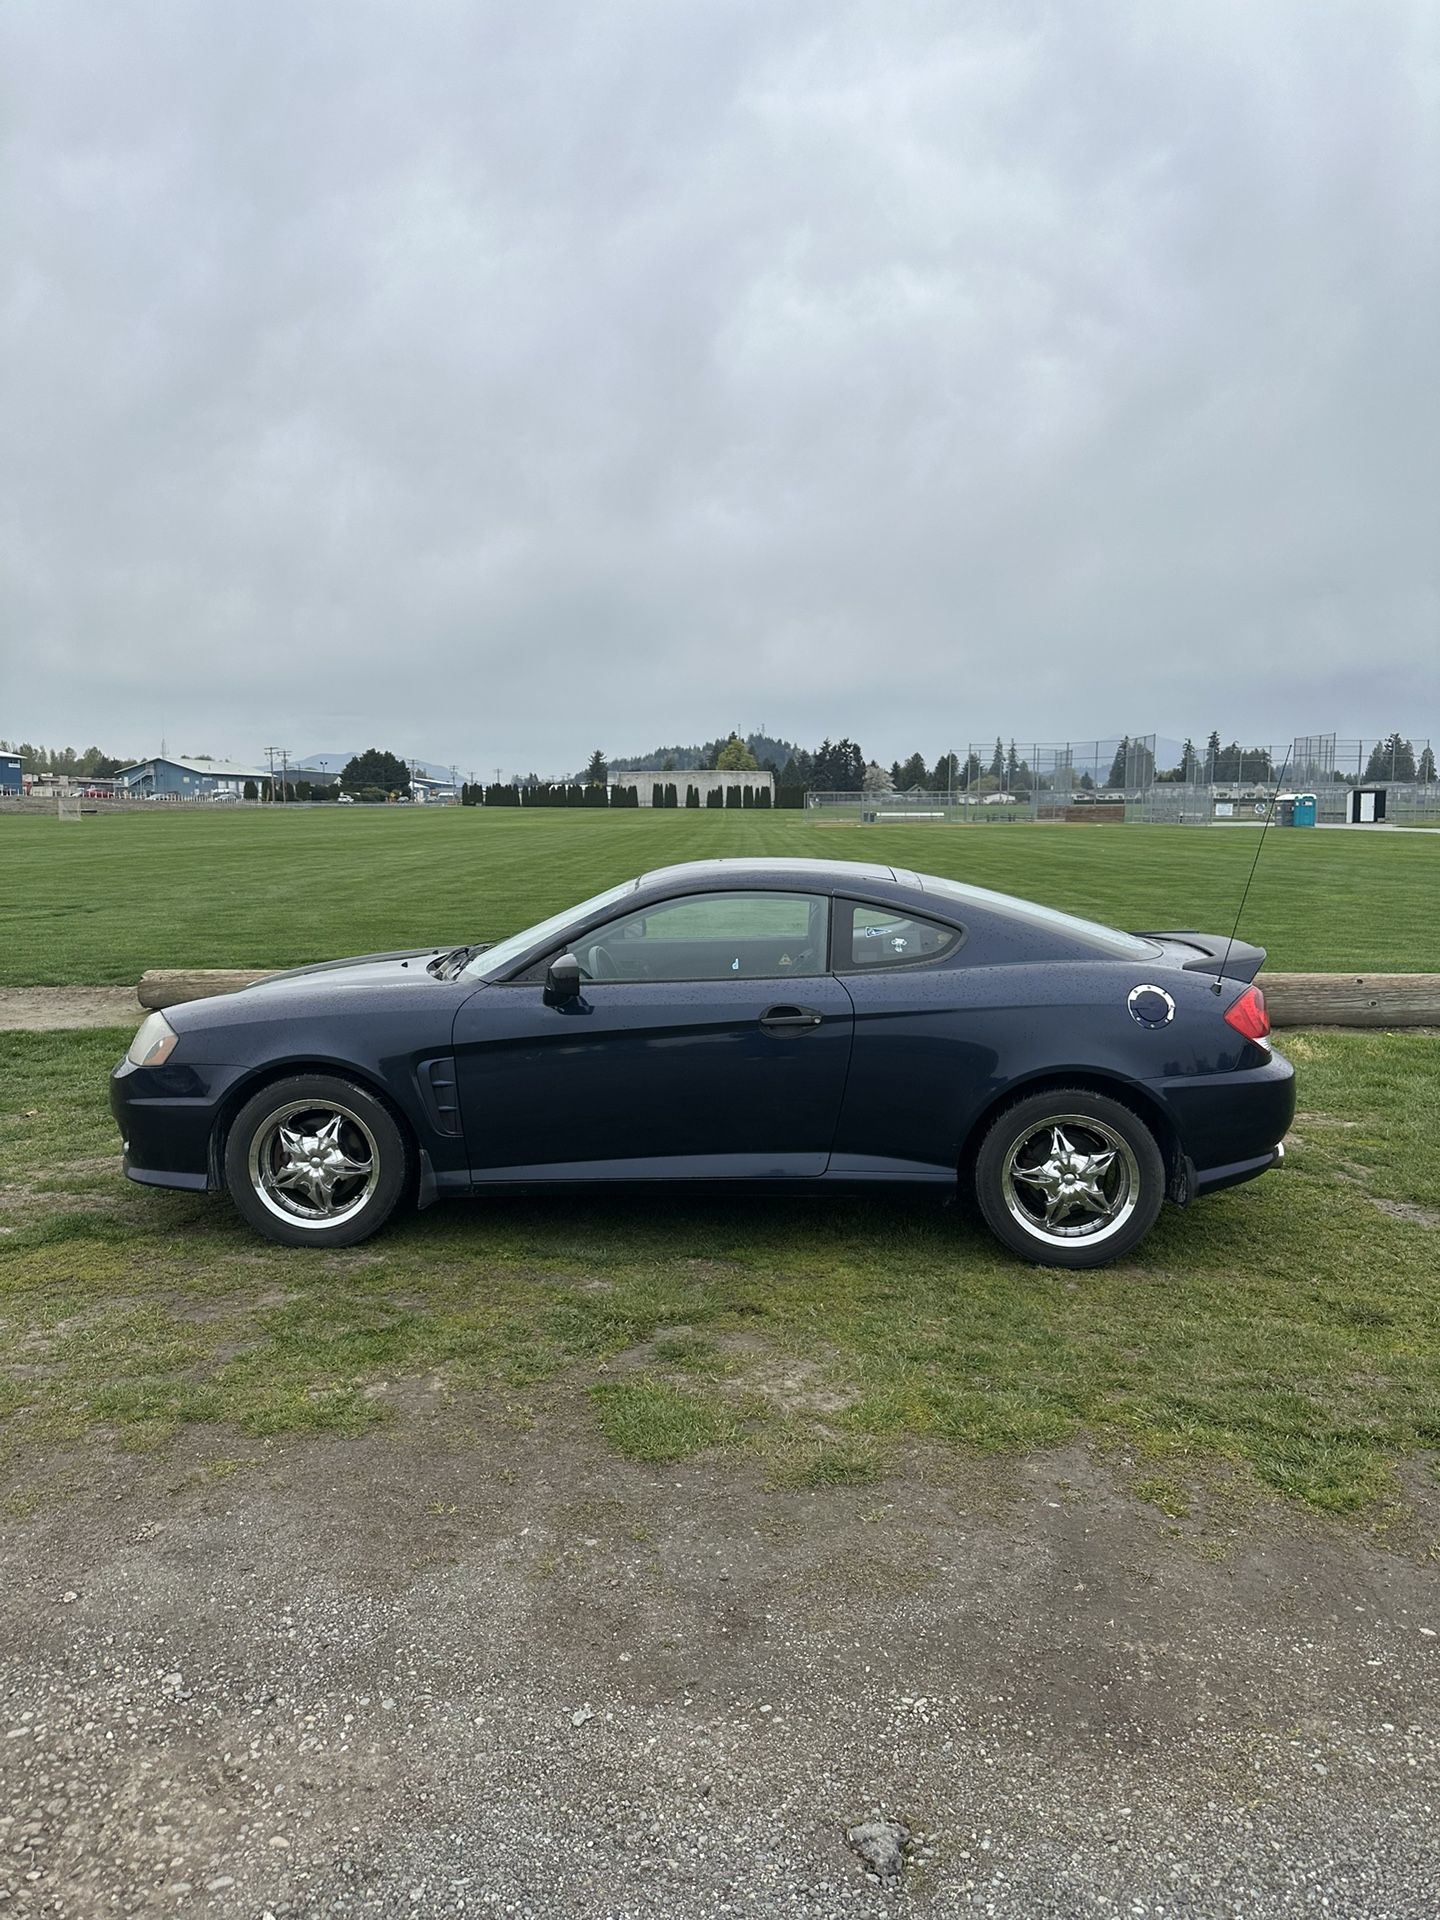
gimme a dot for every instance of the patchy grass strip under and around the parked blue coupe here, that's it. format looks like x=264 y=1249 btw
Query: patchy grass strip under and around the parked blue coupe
x=1285 y=1332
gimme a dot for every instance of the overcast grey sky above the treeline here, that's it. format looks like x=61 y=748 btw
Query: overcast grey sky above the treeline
x=498 y=381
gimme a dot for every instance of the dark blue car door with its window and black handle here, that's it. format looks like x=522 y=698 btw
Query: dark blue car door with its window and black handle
x=709 y=1040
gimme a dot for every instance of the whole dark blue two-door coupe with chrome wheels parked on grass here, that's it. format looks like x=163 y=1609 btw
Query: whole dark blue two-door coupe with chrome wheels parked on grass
x=732 y=1020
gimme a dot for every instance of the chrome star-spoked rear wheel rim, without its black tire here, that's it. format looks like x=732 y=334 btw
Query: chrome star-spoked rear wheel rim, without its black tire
x=1070 y=1178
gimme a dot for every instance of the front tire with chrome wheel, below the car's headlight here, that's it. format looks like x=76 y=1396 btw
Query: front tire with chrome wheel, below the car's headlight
x=333 y=1126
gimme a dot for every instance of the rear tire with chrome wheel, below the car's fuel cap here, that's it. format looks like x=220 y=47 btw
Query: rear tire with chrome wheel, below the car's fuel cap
x=1084 y=1197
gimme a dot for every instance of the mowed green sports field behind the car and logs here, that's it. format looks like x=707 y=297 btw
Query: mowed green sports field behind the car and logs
x=103 y=900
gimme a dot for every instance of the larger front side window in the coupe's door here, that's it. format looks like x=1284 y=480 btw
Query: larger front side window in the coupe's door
x=711 y=936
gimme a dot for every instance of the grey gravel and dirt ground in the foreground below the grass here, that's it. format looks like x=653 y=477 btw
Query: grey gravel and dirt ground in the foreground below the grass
x=460 y=1668
